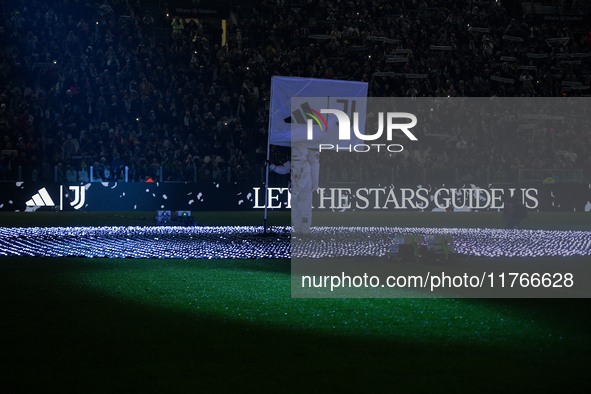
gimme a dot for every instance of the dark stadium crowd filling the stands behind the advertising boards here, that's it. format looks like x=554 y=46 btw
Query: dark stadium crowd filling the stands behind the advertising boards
x=121 y=84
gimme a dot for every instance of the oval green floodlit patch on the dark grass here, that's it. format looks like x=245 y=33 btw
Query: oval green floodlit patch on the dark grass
x=255 y=292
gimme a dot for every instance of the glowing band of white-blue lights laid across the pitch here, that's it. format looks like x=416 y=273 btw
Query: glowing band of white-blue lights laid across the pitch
x=237 y=242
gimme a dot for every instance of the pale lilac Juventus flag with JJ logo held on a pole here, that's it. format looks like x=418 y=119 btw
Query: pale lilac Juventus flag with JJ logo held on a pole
x=327 y=93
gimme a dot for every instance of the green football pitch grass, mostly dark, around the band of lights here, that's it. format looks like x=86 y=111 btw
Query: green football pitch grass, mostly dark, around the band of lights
x=185 y=326
